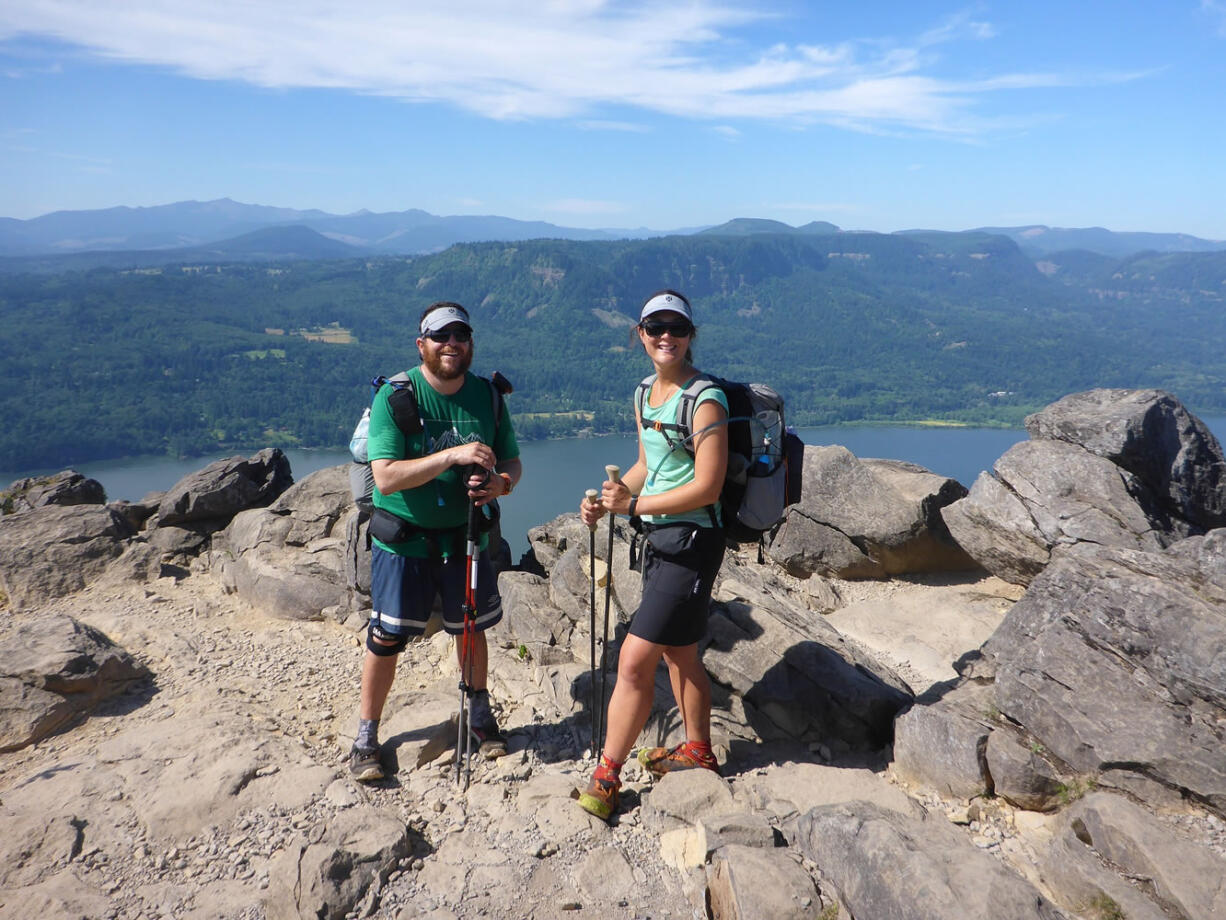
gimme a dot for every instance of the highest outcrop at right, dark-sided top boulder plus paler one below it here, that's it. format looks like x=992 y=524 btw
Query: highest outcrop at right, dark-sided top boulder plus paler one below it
x=1129 y=469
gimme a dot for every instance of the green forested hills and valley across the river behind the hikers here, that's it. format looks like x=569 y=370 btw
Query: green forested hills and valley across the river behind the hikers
x=855 y=327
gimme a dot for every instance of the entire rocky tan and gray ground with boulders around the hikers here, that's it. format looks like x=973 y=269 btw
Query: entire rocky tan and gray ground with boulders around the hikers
x=929 y=703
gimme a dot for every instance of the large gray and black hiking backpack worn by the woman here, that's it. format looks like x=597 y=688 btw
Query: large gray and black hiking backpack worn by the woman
x=766 y=457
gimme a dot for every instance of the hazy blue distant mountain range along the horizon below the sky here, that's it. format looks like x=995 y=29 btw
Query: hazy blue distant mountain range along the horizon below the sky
x=227 y=230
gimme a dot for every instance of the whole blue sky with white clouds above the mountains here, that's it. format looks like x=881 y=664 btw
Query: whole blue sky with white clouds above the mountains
x=874 y=116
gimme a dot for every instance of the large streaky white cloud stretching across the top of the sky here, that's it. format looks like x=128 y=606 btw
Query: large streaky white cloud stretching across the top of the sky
x=551 y=61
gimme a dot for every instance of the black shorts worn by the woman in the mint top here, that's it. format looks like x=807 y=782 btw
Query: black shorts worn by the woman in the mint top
x=680 y=565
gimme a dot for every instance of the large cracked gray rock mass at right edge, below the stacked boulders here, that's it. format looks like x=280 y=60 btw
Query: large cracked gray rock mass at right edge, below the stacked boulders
x=1108 y=668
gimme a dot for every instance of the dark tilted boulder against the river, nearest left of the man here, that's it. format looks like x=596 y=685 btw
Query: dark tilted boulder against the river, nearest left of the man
x=226 y=488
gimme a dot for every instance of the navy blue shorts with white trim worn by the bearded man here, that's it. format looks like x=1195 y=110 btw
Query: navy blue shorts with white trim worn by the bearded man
x=404 y=588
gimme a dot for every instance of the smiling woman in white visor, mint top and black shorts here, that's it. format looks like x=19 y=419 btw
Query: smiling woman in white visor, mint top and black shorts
x=677 y=494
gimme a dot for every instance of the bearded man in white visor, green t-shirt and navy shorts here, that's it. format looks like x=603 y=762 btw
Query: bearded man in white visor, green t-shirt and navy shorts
x=424 y=485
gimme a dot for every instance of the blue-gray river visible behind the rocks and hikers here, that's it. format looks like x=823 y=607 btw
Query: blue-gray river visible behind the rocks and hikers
x=556 y=473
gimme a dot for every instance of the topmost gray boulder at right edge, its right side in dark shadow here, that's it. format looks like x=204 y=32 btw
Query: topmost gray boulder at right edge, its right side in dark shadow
x=1153 y=436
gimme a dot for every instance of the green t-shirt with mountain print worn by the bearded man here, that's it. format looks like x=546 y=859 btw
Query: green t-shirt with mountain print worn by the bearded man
x=448 y=421
